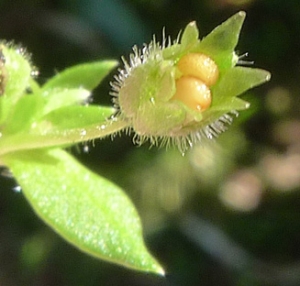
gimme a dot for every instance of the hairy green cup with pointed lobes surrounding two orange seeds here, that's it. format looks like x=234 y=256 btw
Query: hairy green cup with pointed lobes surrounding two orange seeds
x=143 y=91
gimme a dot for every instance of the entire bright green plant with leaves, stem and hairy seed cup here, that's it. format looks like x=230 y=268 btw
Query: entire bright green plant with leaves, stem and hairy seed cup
x=169 y=93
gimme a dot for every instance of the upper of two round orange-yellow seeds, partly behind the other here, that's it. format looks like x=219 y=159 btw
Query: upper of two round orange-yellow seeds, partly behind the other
x=199 y=66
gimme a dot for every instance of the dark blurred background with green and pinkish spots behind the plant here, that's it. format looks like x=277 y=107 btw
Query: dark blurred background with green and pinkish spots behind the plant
x=226 y=213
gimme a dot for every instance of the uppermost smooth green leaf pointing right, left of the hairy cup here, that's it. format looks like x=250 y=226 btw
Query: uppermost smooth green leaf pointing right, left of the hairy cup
x=87 y=76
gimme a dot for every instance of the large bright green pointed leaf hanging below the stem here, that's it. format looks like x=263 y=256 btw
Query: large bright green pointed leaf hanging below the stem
x=88 y=211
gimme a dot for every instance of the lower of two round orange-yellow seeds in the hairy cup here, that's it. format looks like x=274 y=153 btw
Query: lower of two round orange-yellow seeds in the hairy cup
x=193 y=92
